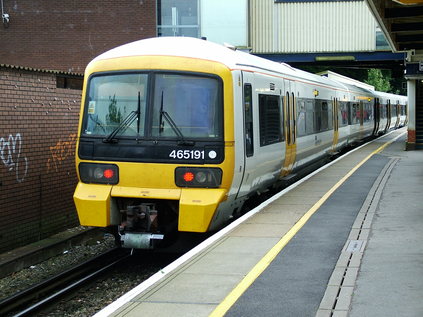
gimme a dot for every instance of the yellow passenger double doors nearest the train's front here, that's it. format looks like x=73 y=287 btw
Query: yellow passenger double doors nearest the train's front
x=290 y=127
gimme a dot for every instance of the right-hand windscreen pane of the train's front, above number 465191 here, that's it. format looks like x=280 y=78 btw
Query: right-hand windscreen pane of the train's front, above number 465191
x=189 y=104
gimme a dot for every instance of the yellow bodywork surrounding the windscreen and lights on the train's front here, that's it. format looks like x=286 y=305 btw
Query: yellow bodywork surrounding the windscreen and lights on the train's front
x=197 y=206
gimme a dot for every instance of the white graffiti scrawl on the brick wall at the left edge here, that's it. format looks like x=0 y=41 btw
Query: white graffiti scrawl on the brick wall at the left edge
x=11 y=156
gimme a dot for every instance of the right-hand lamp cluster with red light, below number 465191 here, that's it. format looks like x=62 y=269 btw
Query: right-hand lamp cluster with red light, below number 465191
x=198 y=177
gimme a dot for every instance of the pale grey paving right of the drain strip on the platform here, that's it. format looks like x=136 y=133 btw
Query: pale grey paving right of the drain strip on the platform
x=391 y=274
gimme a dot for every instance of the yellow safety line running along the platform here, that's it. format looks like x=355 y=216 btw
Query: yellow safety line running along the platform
x=259 y=268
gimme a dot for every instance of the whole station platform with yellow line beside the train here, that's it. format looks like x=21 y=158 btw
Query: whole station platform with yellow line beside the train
x=344 y=241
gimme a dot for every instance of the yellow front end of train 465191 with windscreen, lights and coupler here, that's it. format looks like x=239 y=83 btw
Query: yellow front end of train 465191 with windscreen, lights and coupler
x=154 y=156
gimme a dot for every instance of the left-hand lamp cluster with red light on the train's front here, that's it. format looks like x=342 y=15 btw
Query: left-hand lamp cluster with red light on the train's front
x=99 y=173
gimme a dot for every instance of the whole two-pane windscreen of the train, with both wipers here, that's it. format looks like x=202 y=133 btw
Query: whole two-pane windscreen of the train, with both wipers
x=154 y=105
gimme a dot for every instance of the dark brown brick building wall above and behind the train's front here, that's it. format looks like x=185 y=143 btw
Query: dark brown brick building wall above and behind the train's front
x=66 y=35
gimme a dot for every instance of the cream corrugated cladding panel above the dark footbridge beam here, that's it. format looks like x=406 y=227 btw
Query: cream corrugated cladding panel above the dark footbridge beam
x=311 y=26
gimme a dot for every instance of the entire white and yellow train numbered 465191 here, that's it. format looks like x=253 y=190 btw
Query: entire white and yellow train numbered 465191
x=178 y=134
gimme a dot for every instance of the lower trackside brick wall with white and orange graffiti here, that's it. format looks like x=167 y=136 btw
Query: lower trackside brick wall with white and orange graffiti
x=38 y=127
